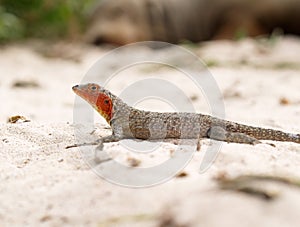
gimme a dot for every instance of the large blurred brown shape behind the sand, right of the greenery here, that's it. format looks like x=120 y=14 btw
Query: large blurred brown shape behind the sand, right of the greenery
x=126 y=21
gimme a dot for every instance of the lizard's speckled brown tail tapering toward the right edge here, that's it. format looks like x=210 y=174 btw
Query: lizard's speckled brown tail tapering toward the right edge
x=263 y=133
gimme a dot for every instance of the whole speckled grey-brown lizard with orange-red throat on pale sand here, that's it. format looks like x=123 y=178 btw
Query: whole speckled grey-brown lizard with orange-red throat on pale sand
x=127 y=122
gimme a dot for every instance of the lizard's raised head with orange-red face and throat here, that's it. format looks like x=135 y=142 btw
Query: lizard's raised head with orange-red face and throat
x=99 y=98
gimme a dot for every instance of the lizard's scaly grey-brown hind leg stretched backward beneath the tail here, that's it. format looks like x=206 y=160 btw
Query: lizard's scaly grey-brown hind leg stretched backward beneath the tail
x=218 y=133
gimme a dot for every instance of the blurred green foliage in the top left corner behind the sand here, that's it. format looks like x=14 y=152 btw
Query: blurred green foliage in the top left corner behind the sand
x=43 y=19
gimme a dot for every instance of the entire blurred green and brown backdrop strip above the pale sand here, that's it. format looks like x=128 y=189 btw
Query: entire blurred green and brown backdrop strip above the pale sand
x=125 y=21
